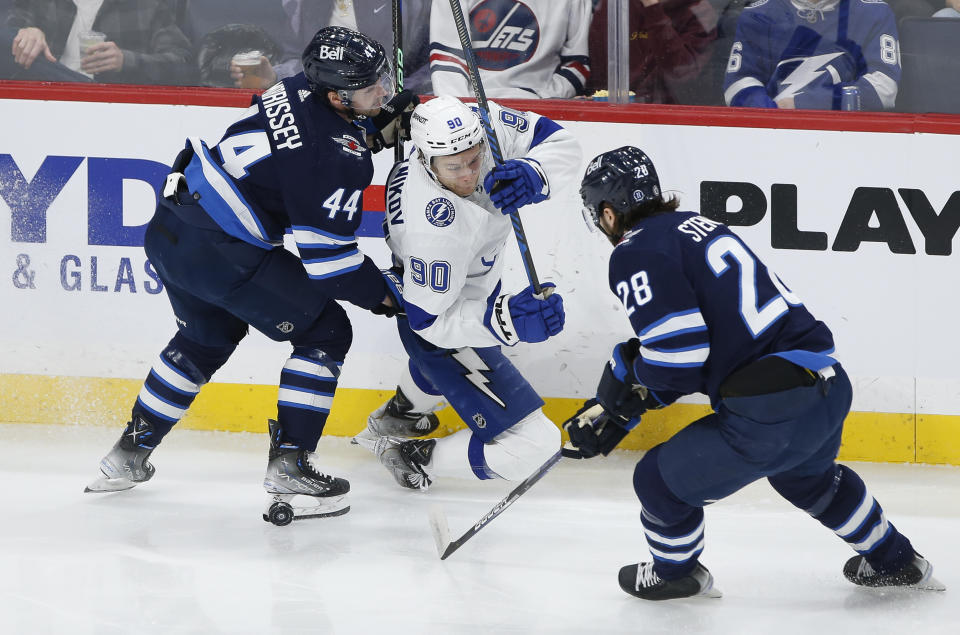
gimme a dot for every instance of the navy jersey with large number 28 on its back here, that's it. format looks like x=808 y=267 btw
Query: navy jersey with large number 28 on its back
x=703 y=305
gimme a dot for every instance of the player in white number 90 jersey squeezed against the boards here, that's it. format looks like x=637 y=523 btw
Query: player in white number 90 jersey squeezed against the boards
x=448 y=235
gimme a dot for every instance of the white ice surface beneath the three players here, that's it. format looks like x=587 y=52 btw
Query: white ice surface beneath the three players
x=188 y=552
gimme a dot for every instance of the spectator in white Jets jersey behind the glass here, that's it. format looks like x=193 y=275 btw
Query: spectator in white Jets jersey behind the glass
x=525 y=50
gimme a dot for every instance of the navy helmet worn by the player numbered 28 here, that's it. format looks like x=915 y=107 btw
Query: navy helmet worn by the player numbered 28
x=621 y=178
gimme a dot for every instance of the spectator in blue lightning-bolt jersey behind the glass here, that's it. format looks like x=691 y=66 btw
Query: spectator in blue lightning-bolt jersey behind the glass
x=791 y=54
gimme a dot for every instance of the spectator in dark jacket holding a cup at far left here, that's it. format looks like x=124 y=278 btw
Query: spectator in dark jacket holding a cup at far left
x=142 y=44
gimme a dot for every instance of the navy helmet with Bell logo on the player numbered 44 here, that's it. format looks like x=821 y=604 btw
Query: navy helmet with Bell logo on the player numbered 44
x=346 y=61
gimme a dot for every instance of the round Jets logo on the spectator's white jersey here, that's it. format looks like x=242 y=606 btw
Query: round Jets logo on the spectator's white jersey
x=504 y=33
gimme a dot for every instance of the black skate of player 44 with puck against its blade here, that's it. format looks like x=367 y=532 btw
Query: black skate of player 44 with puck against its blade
x=297 y=489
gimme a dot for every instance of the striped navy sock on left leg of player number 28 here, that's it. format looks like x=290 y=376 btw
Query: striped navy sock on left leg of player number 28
x=674 y=530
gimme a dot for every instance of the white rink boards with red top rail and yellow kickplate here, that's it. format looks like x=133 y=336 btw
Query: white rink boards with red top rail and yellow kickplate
x=856 y=213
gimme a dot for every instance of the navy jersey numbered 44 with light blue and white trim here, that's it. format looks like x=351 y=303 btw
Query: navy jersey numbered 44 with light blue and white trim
x=291 y=164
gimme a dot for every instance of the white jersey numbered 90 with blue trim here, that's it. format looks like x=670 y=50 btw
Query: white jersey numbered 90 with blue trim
x=452 y=247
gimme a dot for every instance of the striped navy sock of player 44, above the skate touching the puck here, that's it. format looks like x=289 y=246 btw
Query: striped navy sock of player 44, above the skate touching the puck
x=307 y=384
